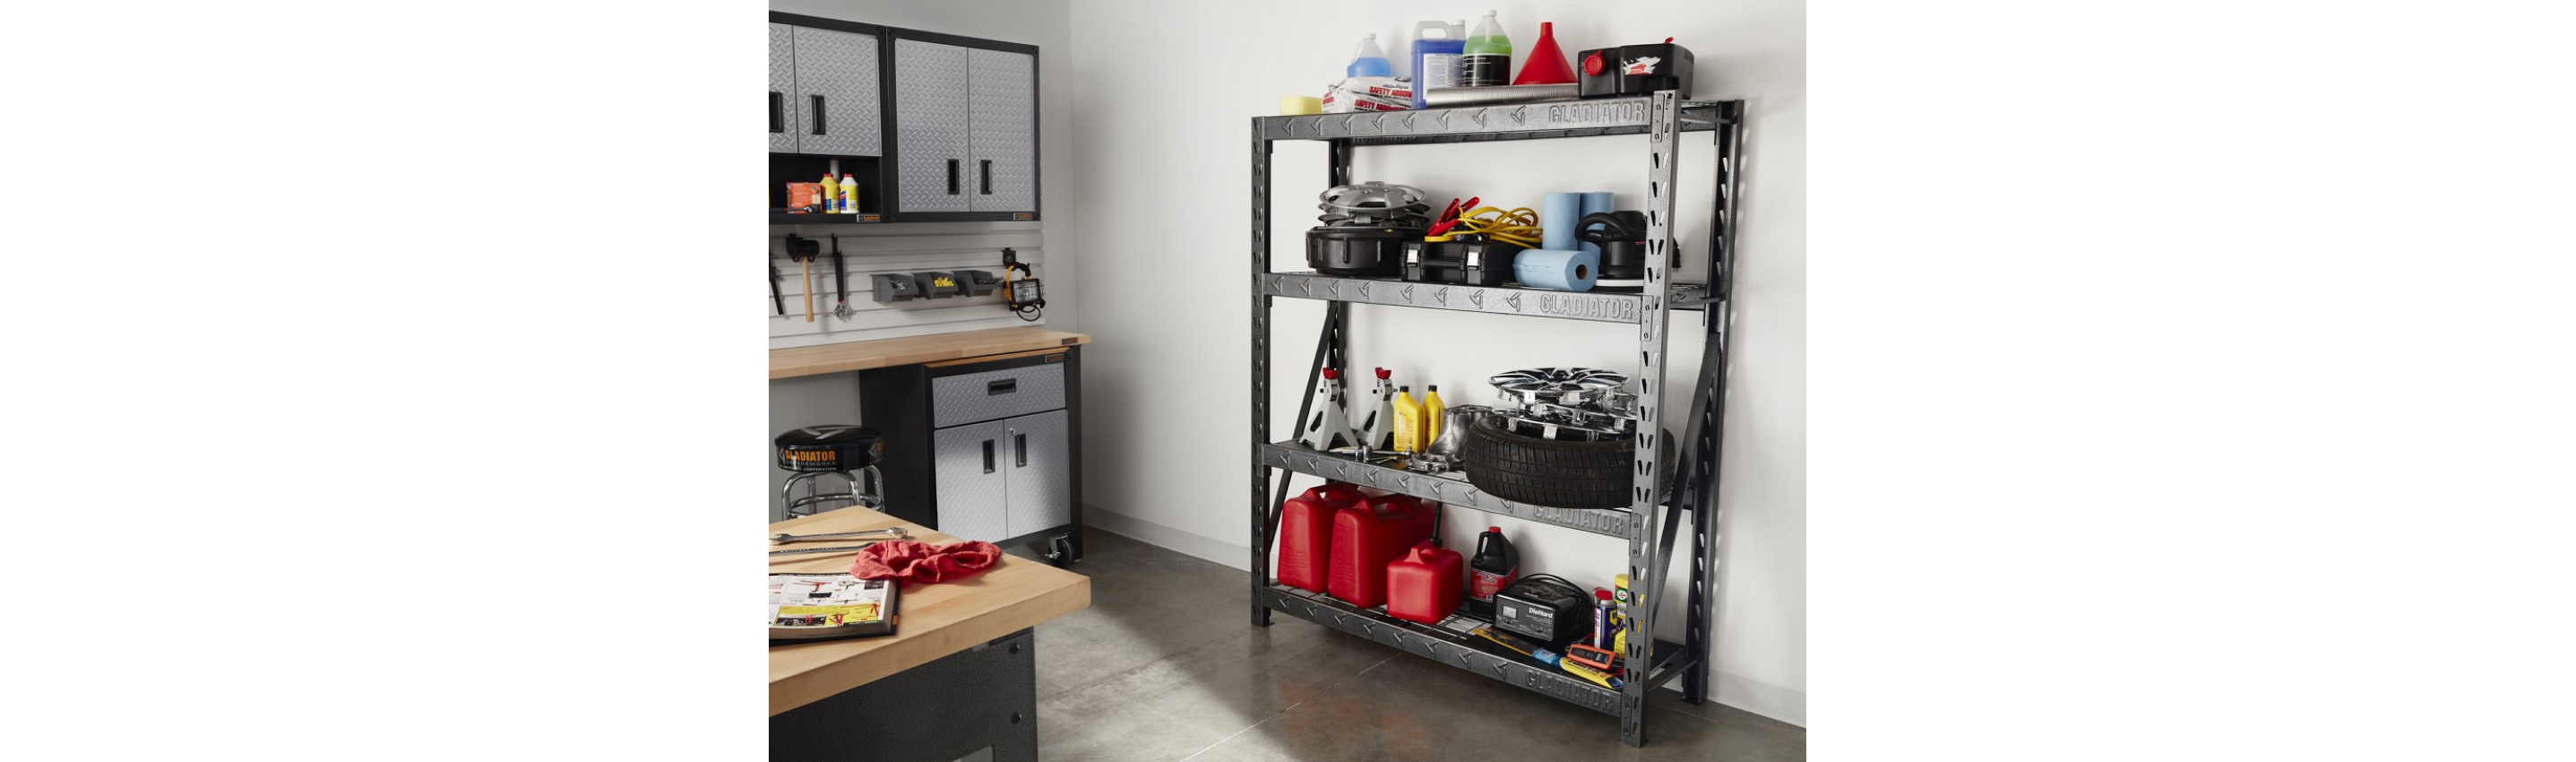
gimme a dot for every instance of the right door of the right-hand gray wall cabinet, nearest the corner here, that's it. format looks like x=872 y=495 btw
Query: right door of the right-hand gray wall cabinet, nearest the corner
x=1006 y=130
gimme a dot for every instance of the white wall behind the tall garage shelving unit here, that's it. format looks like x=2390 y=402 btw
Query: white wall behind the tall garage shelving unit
x=1163 y=207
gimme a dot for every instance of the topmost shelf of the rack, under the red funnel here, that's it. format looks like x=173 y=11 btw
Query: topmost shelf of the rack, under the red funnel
x=1493 y=122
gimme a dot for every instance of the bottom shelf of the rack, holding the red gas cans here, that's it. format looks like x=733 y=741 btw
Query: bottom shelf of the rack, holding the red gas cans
x=1449 y=645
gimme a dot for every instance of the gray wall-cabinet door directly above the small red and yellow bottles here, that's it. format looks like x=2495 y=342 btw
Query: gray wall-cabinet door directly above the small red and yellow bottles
x=836 y=86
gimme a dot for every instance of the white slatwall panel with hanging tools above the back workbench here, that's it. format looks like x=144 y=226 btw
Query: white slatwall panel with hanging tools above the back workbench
x=898 y=248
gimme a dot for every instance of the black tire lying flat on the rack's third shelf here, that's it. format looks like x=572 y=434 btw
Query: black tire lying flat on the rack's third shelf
x=1549 y=472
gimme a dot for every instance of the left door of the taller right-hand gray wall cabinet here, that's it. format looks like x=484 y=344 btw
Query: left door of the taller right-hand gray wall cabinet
x=931 y=125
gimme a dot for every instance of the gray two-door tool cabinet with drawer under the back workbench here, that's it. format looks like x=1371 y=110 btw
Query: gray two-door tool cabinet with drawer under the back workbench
x=985 y=449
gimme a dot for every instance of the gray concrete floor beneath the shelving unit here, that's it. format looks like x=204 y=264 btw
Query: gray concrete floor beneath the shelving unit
x=1166 y=665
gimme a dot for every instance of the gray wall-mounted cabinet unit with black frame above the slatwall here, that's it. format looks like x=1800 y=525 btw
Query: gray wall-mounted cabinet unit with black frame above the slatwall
x=954 y=120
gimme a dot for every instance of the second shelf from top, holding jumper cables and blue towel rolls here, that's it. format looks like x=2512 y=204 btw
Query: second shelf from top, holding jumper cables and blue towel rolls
x=1490 y=300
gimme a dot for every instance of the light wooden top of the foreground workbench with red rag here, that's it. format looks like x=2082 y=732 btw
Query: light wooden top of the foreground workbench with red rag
x=931 y=622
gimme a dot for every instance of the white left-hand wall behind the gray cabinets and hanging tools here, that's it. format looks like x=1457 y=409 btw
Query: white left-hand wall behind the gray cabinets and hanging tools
x=900 y=248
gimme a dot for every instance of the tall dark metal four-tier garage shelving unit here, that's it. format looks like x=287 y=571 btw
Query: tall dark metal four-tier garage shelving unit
x=1650 y=524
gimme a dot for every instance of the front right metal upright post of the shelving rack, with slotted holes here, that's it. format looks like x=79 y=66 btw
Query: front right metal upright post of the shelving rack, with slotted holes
x=1647 y=547
